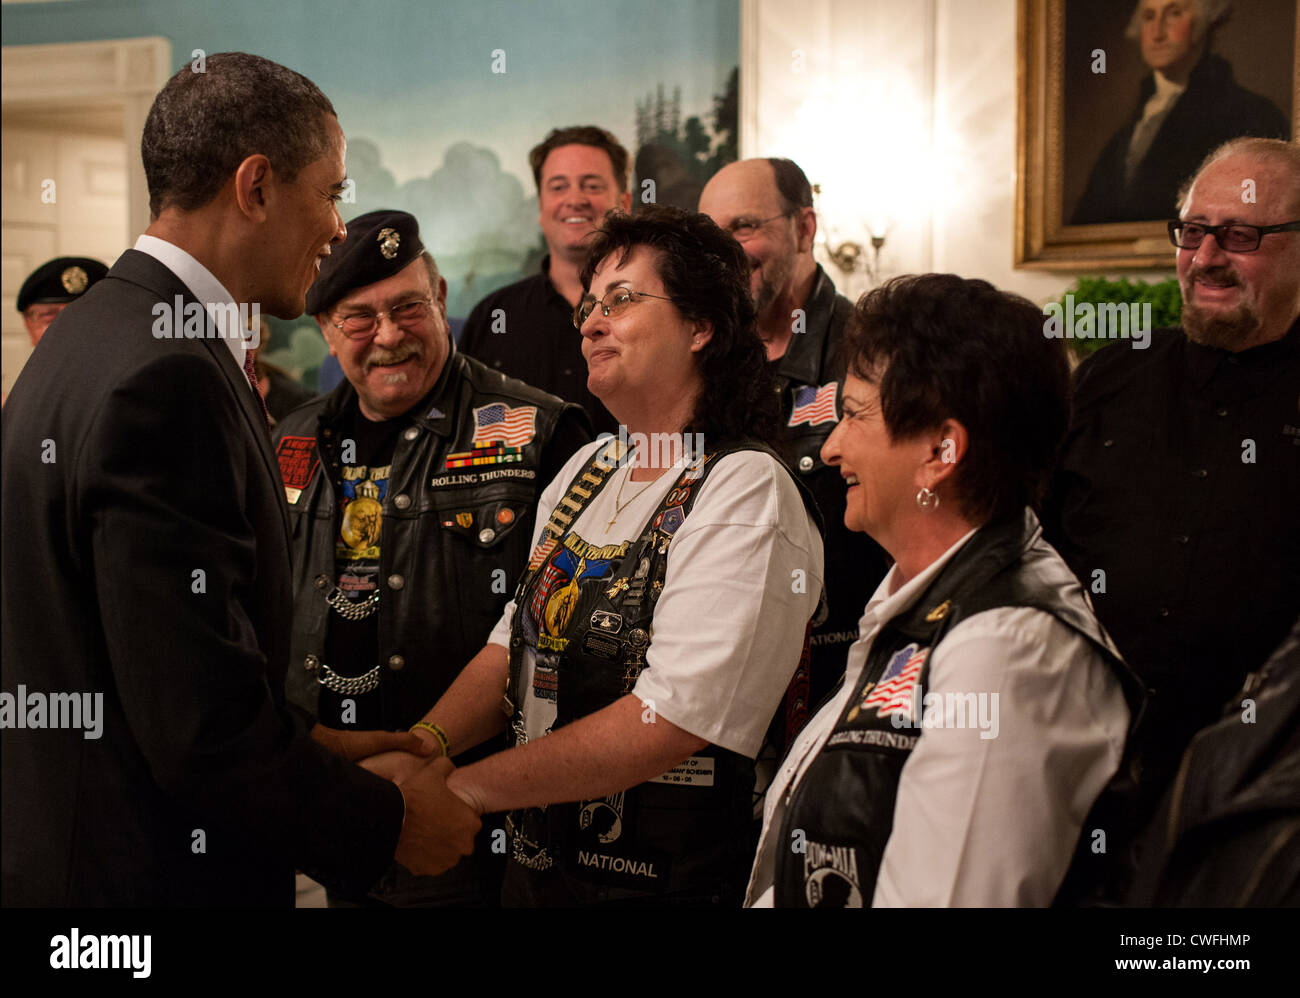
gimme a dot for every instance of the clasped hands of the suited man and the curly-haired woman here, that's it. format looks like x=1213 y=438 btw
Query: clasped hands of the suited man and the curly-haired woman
x=440 y=826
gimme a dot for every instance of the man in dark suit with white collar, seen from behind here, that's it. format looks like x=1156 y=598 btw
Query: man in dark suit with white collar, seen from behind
x=149 y=756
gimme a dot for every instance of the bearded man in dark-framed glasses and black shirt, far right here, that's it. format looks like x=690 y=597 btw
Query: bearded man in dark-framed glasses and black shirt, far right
x=1176 y=497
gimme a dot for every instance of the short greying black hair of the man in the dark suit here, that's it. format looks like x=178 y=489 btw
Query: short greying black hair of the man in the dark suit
x=206 y=123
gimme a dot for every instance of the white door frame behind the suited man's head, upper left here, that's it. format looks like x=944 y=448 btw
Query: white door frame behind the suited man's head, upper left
x=122 y=73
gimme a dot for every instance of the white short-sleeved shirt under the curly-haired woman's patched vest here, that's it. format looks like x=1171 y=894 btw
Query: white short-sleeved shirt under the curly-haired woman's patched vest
x=744 y=575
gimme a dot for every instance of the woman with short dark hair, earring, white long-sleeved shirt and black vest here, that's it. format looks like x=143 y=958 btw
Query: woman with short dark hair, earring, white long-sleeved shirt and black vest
x=982 y=710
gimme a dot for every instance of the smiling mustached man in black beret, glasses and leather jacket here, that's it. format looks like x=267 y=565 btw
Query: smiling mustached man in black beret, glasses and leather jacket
x=413 y=489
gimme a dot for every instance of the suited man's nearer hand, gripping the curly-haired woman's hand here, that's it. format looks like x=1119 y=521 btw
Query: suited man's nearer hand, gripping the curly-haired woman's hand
x=440 y=828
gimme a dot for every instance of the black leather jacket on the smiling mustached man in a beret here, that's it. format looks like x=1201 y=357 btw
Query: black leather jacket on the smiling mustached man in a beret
x=453 y=540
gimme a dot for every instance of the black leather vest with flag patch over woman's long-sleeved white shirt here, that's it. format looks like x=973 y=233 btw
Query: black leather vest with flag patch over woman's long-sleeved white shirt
x=842 y=814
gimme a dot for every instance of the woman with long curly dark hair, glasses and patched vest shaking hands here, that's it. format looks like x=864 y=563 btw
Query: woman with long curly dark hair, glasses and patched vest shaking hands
x=666 y=604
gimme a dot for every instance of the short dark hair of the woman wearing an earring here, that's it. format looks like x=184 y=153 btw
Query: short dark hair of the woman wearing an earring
x=939 y=348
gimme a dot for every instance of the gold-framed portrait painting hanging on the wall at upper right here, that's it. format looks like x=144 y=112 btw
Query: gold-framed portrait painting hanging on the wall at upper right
x=1119 y=103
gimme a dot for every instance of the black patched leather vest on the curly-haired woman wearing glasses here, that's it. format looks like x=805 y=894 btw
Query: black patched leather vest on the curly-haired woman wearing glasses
x=588 y=613
